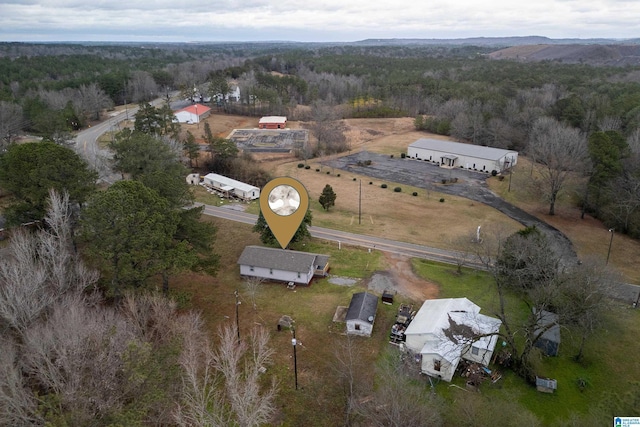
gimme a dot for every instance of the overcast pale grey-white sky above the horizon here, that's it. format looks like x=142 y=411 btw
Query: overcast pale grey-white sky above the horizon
x=312 y=20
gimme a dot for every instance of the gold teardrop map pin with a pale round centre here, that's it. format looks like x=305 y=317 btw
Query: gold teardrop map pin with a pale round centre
x=284 y=202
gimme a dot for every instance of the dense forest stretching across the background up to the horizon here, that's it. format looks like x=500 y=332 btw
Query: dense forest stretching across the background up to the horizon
x=50 y=90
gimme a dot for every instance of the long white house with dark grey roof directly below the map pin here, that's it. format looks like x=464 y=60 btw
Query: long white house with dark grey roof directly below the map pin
x=282 y=265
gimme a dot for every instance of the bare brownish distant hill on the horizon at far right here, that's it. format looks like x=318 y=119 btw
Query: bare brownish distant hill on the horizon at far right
x=592 y=54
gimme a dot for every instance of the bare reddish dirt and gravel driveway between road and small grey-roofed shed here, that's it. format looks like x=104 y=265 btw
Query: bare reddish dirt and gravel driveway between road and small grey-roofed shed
x=400 y=277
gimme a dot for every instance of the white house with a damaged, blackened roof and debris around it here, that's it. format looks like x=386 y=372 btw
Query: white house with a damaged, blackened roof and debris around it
x=444 y=331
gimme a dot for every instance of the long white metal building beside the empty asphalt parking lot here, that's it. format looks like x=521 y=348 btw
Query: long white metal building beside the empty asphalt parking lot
x=449 y=154
